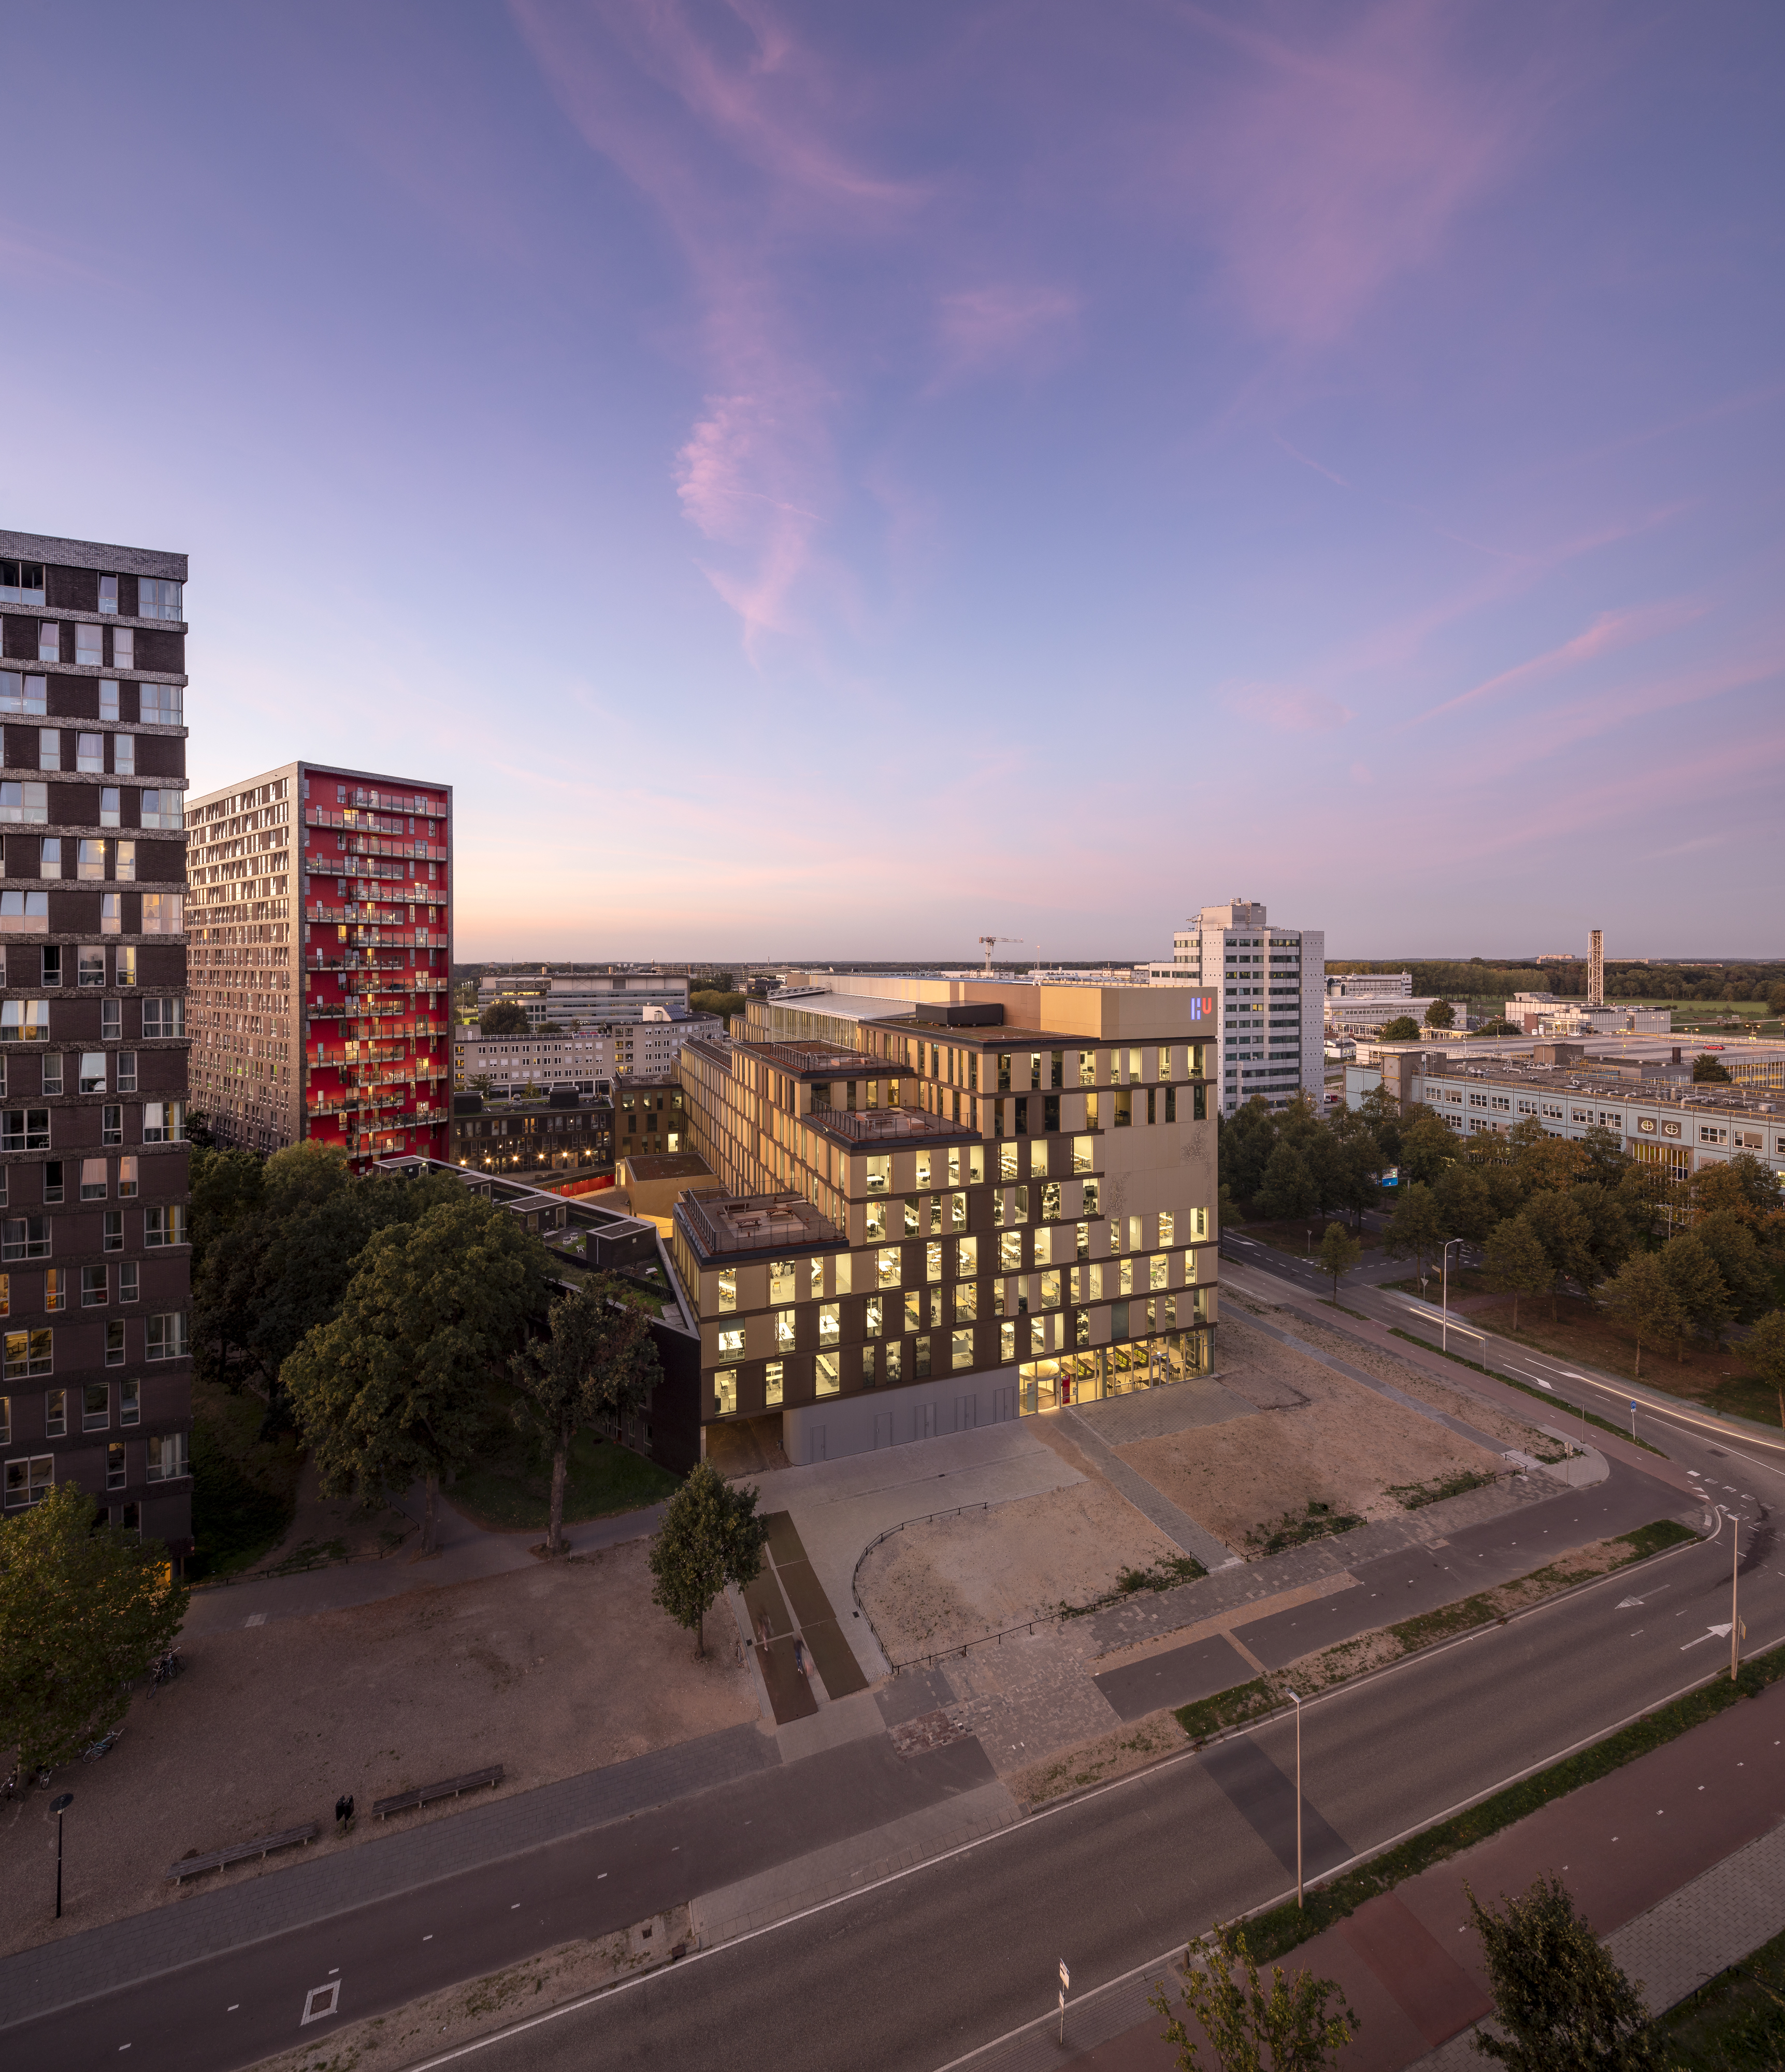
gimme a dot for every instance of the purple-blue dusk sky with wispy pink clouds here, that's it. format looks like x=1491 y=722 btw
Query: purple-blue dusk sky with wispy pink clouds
x=840 y=482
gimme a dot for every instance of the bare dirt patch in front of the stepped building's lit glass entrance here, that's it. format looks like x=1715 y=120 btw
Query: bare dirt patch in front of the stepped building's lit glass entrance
x=1341 y=1445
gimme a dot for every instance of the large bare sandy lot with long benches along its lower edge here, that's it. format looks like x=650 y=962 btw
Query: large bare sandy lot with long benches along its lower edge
x=546 y=1671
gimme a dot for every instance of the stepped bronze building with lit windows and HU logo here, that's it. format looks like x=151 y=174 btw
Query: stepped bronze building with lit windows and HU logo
x=987 y=1203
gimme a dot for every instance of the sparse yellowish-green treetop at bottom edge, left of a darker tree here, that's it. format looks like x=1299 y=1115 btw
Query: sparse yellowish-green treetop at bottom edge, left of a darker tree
x=1293 y=2027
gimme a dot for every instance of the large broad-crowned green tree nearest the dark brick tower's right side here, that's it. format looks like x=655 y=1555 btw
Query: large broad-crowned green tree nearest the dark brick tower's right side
x=392 y=1389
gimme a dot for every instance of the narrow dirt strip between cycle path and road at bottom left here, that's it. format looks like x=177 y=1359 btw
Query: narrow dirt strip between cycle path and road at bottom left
x=465 y=2013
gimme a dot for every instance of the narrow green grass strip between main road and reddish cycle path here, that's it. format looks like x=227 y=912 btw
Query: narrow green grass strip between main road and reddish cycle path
x=1281 y=1930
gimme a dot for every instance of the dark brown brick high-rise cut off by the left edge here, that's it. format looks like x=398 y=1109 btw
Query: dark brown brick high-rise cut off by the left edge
x=94 y=1265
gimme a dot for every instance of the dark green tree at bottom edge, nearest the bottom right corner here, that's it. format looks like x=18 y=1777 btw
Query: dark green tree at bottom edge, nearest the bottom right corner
x=1560 y=1998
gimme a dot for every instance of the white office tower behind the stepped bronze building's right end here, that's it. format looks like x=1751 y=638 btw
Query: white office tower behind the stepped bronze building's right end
x=1272 y=991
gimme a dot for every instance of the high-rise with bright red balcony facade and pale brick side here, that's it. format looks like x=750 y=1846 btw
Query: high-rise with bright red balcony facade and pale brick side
x=322 y=962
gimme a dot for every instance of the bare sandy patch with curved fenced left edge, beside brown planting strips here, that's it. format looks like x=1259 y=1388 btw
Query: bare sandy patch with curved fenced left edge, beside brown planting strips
x=945 y=1582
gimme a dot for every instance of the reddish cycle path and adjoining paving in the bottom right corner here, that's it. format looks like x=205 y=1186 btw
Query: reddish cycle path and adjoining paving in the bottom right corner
x=1676 y=1860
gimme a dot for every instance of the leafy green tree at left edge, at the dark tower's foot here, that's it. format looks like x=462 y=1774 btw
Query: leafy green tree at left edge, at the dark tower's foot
x=84 y=1609
